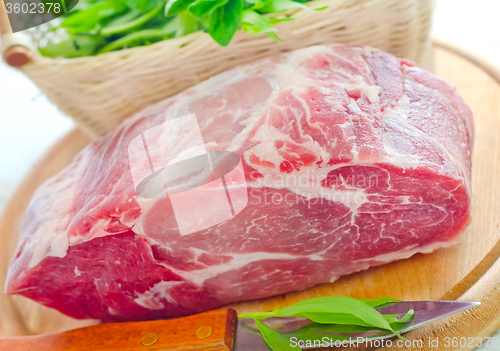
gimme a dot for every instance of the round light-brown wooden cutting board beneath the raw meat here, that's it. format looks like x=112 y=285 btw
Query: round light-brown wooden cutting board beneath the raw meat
x=468 y=270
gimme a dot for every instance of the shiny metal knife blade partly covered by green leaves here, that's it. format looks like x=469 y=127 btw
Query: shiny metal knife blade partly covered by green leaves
x=426 y=312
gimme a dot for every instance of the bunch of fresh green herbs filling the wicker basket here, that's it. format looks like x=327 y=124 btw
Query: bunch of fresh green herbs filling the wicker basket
x=97 y=26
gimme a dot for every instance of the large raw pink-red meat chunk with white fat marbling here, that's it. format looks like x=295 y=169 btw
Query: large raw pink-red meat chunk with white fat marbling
x=352 y=158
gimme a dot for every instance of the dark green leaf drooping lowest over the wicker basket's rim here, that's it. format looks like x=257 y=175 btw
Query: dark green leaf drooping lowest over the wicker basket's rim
x=225 y=20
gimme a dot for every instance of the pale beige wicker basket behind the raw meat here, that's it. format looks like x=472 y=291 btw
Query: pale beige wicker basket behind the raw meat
x=100 y=91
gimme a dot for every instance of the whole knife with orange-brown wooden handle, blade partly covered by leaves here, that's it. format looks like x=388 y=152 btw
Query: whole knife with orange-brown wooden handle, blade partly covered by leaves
x=217 y=330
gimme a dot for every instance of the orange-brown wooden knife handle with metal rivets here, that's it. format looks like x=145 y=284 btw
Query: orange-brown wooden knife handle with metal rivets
x=210 y=331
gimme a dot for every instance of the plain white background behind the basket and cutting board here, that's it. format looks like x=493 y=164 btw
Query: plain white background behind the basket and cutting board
x=29 y=124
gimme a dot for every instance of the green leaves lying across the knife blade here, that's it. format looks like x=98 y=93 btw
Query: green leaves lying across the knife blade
x=330 y=314
